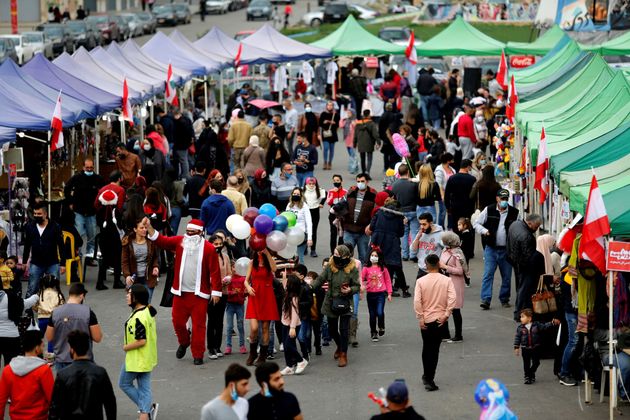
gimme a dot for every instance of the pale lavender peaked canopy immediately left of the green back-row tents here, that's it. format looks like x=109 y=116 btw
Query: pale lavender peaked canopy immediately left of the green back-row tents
x=285 y=48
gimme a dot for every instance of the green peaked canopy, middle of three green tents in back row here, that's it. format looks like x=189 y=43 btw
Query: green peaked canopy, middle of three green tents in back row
x=460 y=38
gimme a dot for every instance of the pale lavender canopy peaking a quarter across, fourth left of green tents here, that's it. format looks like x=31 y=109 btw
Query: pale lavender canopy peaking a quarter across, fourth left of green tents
x=163 y=49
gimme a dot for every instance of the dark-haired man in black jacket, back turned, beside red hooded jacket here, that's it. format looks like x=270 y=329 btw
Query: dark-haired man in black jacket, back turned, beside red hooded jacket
x=83 y=389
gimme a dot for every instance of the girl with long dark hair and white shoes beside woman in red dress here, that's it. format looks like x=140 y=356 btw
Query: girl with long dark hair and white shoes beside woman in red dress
x=291 y=327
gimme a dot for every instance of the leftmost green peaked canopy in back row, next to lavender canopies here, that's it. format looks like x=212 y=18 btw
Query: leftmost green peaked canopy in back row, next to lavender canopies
x=352 y=39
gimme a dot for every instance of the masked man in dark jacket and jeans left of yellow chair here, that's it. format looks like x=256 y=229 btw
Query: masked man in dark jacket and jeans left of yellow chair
x=45 y=239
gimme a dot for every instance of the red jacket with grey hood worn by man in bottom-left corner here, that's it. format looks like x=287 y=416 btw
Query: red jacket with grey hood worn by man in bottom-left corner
x=28 y=382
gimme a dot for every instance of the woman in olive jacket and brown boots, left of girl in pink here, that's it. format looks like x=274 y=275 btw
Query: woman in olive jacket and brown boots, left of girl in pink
x=342 y=277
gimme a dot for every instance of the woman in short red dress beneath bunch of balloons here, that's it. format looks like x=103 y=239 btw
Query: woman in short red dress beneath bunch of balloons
x=261 y=305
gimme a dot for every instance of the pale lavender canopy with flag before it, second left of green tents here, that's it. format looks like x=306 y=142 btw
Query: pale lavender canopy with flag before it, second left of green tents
x=217 y=42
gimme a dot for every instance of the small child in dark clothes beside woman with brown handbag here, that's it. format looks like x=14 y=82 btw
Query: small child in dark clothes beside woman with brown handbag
x=527 y=341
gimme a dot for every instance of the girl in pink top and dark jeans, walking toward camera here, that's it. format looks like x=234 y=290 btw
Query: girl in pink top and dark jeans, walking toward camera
x=378 y=285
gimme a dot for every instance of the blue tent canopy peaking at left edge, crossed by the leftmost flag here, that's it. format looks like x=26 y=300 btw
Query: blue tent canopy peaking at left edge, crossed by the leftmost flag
x=41 y=98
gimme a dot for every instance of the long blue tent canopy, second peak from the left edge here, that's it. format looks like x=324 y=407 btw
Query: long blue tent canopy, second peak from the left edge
x=43 y=70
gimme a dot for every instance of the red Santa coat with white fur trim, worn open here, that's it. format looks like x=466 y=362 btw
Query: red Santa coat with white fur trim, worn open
x=208 y=272
